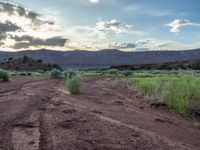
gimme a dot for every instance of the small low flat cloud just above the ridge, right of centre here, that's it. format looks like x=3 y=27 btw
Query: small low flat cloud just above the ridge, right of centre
x=118 y=45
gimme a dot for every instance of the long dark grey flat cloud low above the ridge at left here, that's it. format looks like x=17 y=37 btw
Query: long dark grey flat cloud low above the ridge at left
x=28 y=41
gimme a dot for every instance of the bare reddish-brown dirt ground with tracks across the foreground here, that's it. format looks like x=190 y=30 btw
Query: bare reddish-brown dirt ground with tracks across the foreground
x=40 y=114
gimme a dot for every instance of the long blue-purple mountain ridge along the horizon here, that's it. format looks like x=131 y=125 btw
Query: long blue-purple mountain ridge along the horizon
x=82 y=59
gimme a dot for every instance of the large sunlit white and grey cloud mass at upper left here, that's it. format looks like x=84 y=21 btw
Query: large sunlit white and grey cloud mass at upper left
x=21 y=28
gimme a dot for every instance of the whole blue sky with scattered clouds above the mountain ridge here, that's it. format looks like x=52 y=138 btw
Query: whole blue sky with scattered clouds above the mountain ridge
x=128 y=25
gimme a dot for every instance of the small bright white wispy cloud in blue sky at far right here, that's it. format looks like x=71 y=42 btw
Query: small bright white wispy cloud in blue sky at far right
x=177 y=24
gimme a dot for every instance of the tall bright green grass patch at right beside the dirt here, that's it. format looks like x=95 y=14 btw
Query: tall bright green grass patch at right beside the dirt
x=179 y=93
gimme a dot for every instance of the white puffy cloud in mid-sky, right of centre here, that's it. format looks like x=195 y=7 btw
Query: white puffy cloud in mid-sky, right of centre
x=116 y=26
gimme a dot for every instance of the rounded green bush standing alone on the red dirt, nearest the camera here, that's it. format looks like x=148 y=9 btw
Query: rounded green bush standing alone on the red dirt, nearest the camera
x=74 y=84
